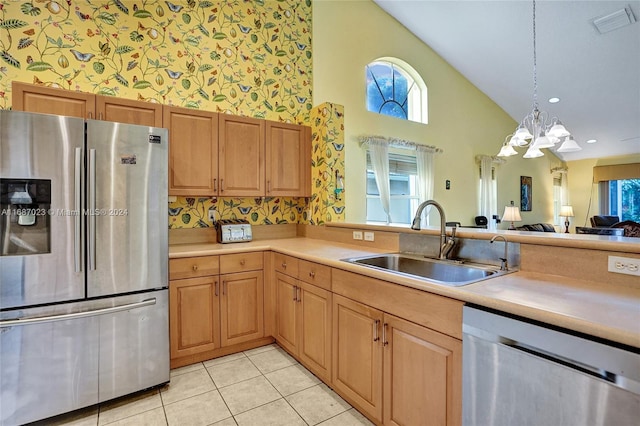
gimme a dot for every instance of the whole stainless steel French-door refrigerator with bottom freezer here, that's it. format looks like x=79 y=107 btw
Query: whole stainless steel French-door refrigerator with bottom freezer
x=83 y=263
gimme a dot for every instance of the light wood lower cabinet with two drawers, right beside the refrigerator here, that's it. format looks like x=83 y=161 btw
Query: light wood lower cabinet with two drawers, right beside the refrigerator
x=215 y=302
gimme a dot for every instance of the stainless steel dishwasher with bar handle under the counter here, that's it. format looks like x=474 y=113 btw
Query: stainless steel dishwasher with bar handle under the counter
x=518 y=372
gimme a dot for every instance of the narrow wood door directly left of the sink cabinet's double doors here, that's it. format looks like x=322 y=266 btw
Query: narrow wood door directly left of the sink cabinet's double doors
x=314 y=319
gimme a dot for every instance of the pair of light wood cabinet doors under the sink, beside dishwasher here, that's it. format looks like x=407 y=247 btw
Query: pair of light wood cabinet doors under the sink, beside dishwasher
x=397 y=372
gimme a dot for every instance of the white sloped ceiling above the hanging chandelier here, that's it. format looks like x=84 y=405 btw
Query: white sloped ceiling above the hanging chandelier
x=596 y=76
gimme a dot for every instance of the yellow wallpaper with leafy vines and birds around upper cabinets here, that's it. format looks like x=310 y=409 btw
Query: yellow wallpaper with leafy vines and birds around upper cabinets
x=251 y=58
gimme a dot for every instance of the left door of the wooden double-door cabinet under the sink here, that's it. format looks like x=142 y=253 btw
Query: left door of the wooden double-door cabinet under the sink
x=357 y=354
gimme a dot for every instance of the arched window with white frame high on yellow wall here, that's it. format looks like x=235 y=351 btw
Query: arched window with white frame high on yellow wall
x=394 y=88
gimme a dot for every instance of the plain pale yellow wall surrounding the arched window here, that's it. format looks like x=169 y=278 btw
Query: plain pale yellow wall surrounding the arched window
x=347 y=35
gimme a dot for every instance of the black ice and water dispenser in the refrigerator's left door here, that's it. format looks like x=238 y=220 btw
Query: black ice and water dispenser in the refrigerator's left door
x=25 y=226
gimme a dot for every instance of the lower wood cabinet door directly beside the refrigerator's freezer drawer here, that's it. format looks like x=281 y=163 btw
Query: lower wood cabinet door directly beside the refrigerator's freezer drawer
x=193 y=316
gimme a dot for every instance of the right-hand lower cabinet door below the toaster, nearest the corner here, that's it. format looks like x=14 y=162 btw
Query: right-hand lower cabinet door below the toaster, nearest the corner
x=241 y=307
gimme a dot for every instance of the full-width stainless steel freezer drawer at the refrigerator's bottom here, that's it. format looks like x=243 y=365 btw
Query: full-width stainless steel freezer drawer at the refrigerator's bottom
x=58 y=359
